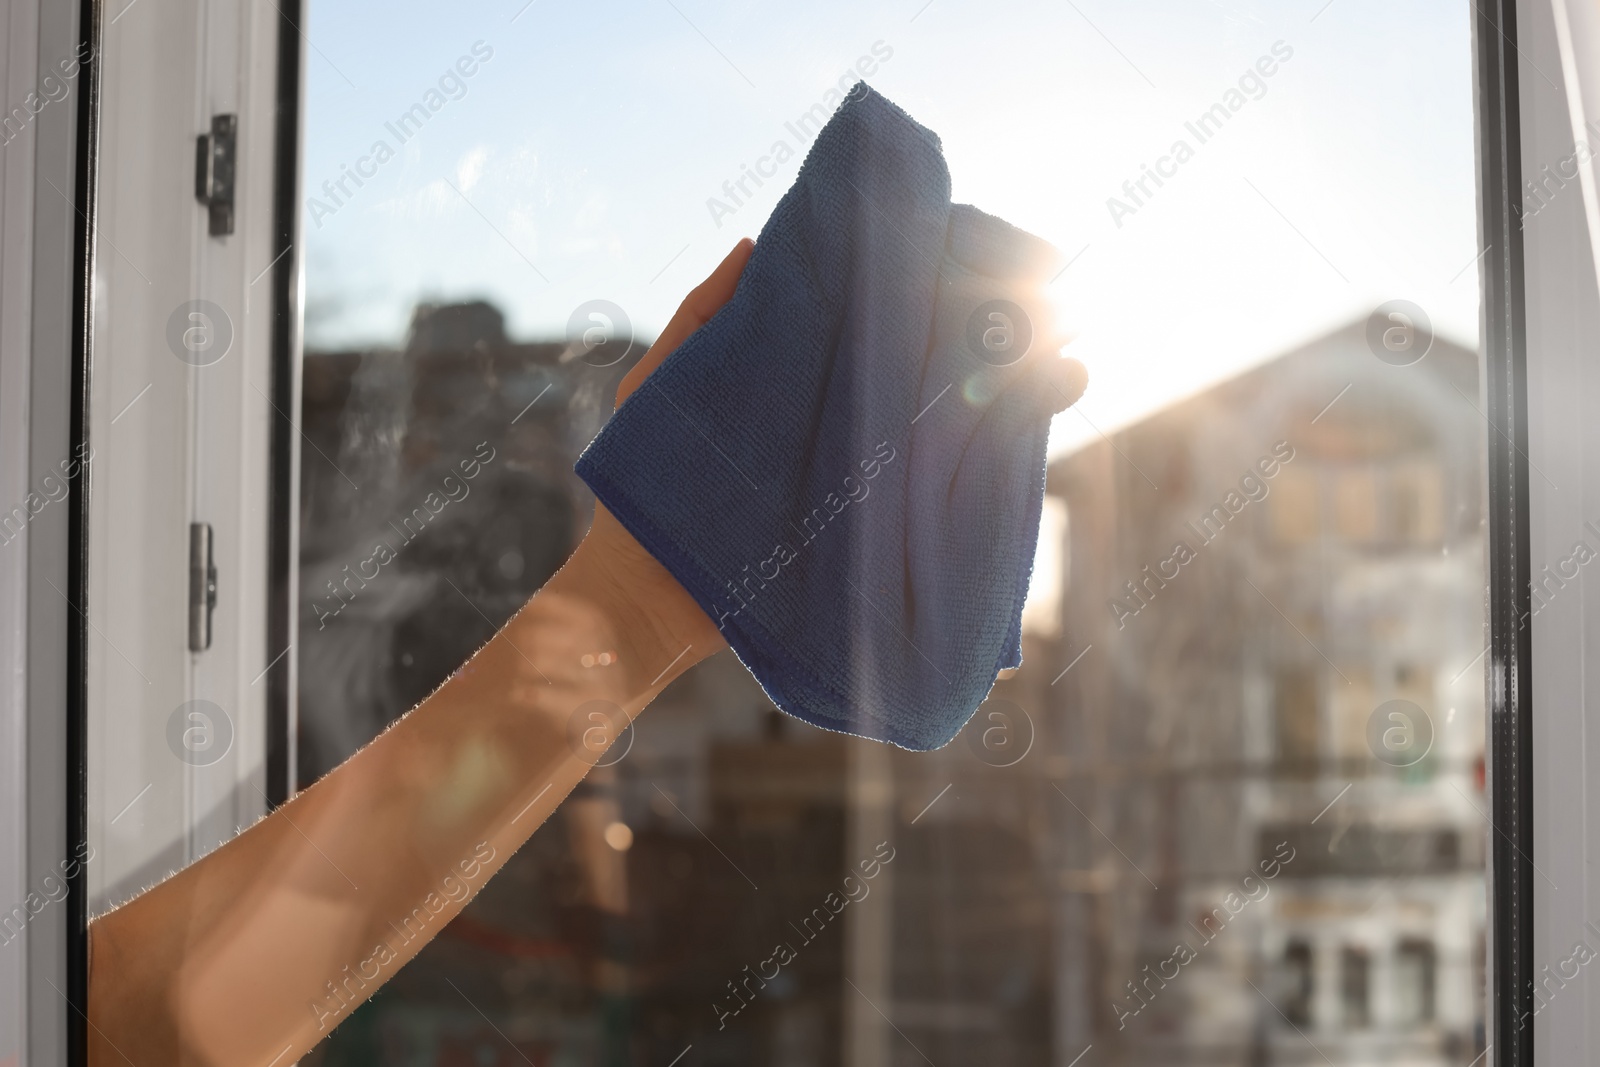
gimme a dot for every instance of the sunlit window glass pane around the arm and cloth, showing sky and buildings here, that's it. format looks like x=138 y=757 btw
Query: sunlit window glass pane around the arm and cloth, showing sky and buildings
x=1230 y=810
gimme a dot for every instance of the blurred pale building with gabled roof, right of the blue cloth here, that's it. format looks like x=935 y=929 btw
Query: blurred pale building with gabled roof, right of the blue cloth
x=1254 y=577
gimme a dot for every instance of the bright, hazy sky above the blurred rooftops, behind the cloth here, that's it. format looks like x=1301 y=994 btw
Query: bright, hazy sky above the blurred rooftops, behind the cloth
x=591 y=140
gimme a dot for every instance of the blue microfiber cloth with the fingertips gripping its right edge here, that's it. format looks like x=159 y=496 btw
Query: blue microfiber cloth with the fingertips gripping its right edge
x=846 y=466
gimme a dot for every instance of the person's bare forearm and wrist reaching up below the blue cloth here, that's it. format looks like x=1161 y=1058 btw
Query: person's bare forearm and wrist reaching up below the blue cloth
x=262 y=948
